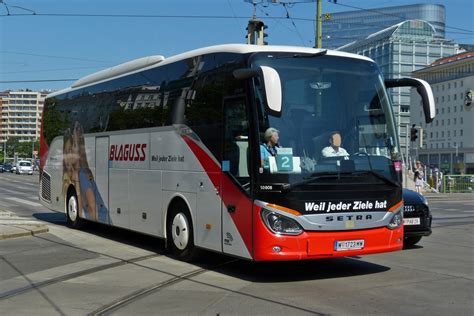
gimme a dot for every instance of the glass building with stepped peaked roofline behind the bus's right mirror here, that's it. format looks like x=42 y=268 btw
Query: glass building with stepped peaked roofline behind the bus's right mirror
x=399 y=50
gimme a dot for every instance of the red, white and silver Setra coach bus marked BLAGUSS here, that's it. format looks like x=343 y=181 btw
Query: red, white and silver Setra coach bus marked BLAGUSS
x=172 y=148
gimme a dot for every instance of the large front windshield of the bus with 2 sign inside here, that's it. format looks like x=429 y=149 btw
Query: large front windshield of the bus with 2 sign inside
x=336 y=119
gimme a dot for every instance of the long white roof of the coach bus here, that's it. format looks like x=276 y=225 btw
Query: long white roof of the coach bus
x=157 y=61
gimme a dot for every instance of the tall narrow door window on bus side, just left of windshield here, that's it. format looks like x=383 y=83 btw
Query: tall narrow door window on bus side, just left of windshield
x=236 y=137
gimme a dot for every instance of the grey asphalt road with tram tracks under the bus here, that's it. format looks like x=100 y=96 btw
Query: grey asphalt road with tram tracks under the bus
x=102 y=270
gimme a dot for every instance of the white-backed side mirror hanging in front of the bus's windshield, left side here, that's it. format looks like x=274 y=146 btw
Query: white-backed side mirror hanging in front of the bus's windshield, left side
x=271 y=86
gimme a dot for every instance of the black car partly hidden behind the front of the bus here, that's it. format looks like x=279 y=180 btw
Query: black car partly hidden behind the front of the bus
x=416 y=217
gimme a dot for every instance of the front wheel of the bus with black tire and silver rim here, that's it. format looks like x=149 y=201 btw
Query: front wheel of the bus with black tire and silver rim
x=180 y=233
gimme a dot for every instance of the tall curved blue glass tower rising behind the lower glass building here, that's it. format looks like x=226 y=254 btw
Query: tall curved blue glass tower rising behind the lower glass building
x=349 y=26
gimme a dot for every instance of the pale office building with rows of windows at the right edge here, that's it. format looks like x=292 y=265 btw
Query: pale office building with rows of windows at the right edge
x=448 y=142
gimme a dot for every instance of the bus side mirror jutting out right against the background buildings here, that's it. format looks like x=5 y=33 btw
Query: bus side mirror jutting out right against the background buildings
x=423 y=89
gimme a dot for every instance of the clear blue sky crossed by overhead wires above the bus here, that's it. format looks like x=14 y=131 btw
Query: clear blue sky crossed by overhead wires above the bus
x=53 y=45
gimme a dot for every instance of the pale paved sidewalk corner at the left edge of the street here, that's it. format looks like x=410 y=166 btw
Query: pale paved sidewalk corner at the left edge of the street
x=12 y=226
